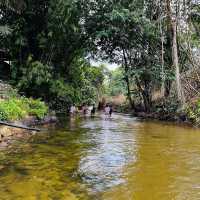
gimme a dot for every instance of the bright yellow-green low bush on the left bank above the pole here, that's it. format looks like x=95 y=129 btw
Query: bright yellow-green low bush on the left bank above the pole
x=18 y=108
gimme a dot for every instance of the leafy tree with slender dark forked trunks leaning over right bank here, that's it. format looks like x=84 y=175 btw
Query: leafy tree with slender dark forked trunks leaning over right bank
x=127 y=39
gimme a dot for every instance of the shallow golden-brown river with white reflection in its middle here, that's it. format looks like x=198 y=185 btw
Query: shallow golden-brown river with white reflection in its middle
x=121 y=158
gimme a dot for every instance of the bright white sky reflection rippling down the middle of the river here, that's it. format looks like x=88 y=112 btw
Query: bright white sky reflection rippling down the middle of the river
x=103 y=164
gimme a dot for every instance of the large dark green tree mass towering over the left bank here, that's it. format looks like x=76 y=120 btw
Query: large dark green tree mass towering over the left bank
x=48 y=48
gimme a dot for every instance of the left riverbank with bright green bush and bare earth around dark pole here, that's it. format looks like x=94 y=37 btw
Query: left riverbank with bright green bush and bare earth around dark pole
x=20 y=111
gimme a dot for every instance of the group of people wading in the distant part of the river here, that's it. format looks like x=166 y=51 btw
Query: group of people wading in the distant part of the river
x=86 y=110
